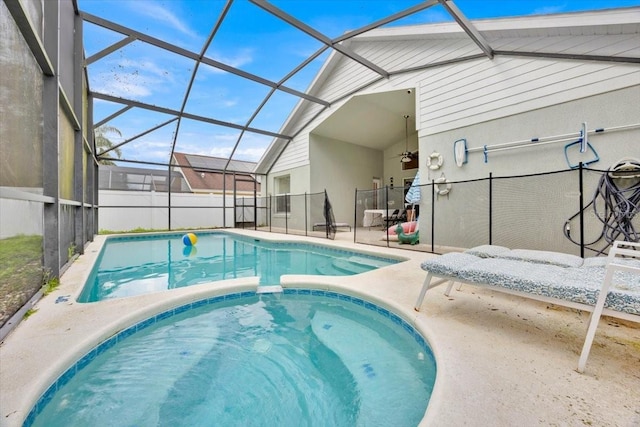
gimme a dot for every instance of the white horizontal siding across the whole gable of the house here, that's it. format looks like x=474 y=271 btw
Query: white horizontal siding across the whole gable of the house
x=476 y=90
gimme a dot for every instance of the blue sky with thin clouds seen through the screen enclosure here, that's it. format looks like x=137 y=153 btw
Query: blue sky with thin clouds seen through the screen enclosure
x=249 y=39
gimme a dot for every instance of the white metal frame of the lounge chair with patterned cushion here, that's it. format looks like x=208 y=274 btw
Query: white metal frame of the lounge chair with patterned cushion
x=619 y=249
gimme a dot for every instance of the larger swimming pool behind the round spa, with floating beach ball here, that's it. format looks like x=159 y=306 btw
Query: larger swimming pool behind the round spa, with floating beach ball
x=134 y=265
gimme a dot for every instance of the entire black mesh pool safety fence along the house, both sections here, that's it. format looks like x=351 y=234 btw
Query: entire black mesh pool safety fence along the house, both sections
x=579 y=211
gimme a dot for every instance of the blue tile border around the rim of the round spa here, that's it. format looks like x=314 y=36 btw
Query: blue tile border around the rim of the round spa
x=66 y=376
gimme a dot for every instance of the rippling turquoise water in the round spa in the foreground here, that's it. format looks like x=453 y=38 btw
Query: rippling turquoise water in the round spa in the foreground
x=302 y=358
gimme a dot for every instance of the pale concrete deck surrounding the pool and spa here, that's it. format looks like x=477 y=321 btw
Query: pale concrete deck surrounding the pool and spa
x=502 y=360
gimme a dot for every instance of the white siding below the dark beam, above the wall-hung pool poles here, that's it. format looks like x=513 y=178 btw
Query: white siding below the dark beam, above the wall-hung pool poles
x=461 y=97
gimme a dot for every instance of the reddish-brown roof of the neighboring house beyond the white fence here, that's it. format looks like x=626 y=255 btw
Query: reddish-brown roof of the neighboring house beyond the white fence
x=204 y=173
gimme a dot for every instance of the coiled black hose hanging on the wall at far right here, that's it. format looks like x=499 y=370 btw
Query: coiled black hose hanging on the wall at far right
x=615 y=207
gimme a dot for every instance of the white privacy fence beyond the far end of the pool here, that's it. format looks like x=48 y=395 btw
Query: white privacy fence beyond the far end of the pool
x=129 y=210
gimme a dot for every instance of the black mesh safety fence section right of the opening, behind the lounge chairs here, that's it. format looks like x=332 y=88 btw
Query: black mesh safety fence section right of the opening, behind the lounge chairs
x=579 y=211
